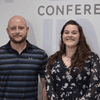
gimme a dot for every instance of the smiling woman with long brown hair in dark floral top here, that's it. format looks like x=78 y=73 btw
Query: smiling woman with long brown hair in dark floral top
x=72 y=73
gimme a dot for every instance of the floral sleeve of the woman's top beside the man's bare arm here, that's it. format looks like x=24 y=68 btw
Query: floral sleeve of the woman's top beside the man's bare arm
x=49 y=81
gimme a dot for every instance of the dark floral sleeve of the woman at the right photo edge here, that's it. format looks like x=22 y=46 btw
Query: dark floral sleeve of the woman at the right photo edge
x=93 y=92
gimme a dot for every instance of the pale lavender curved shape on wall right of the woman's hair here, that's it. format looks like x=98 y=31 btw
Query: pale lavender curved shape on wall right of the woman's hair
x=90 y=35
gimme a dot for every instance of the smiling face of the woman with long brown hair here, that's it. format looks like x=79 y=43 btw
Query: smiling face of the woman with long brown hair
x=71 y=35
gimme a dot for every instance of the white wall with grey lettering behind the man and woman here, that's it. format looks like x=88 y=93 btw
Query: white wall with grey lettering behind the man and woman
x=45 y=19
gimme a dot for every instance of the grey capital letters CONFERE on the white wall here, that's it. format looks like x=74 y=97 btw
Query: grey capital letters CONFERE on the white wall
x=77 y=9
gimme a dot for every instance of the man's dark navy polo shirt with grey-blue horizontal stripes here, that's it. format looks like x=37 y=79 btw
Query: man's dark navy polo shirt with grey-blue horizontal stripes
x=19 y=72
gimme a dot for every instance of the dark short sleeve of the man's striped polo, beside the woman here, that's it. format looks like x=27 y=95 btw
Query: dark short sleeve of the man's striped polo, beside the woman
x=43 y=65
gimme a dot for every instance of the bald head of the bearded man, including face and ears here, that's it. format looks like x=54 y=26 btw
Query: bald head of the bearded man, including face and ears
x=17 y=29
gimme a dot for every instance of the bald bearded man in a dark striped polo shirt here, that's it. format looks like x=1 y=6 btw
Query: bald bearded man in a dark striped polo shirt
x=20 y=64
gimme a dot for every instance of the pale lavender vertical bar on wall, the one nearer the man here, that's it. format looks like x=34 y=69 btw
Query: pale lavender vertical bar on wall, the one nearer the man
x=47 y=35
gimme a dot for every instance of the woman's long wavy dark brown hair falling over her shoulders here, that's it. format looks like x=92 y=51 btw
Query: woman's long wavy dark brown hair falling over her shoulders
x=80 y=56
